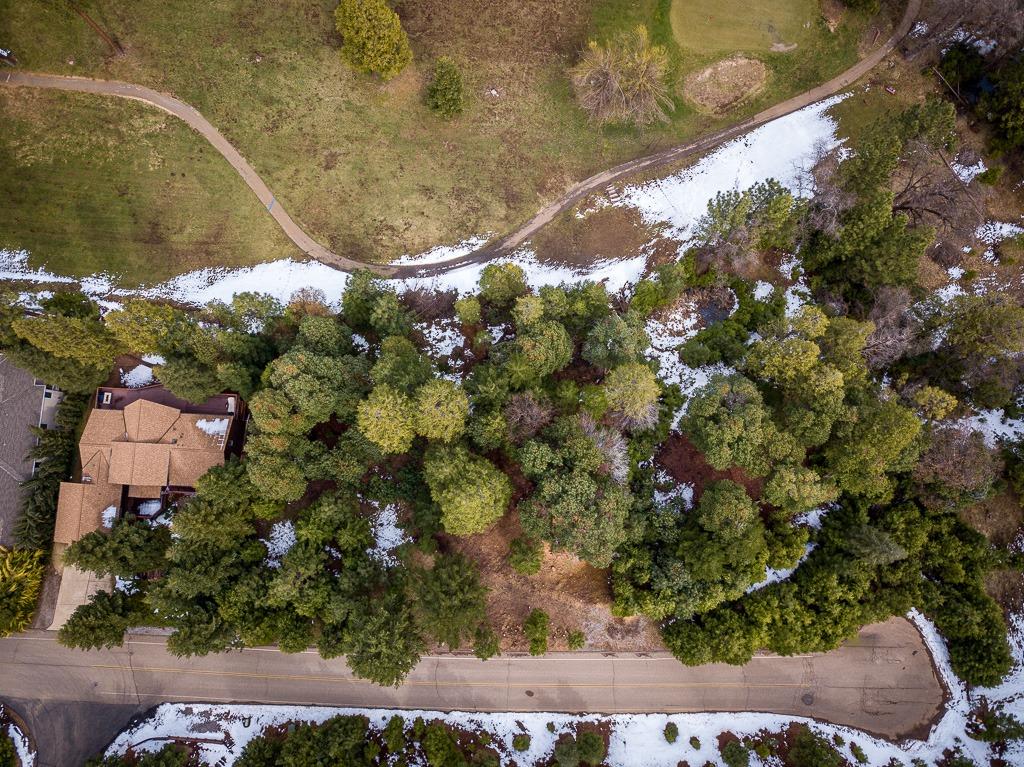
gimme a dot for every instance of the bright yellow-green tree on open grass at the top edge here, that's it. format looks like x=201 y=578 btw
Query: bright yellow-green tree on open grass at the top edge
x=373 y=40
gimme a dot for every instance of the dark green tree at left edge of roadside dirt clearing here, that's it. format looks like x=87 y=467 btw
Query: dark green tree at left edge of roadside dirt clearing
x=451 y=601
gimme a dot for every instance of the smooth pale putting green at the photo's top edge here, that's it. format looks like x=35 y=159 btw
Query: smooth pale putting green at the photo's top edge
x=727 y=26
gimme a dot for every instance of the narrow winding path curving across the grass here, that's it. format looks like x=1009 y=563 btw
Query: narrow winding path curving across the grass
x=579 y=191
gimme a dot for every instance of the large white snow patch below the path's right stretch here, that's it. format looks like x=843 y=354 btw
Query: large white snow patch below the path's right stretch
x=782 y=150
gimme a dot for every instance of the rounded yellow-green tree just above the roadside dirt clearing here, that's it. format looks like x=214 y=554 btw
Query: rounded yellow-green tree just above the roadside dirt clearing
x=472 y=492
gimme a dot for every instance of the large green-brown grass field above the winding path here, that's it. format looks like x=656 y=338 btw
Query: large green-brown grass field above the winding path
x=364 y=166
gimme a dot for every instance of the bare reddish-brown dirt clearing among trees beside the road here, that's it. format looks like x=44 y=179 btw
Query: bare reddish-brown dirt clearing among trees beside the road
x=574 y=594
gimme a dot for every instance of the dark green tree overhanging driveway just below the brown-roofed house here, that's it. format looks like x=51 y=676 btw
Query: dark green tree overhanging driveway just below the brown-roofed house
x=131 y=548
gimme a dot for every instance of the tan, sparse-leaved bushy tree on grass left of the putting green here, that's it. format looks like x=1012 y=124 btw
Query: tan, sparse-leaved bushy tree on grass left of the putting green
x=624 y=81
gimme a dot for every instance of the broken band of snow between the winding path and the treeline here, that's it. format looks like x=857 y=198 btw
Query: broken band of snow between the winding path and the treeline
x=782 y=150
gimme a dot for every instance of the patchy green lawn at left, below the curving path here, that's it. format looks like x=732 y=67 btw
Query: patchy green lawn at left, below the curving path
x=103 y=186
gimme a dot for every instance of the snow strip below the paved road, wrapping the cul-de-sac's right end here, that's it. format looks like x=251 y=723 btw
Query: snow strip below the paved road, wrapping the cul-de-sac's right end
x=636 y=741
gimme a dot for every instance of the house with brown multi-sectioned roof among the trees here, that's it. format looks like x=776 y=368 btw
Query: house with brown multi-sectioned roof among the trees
x=140 y=448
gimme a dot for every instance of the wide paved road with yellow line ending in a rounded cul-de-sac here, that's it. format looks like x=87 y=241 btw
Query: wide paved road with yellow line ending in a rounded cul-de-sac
x=882 y=683
